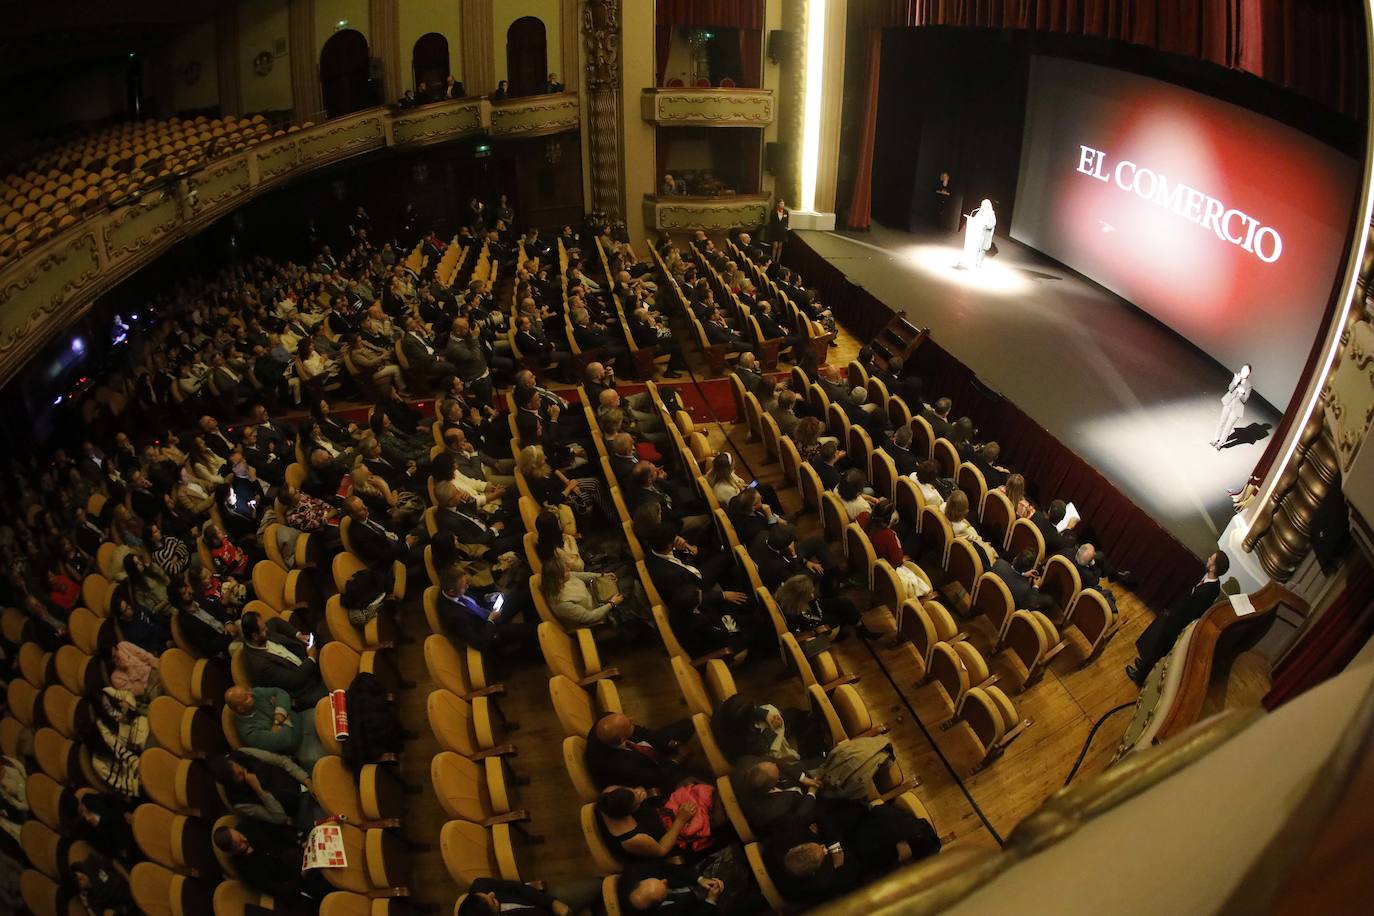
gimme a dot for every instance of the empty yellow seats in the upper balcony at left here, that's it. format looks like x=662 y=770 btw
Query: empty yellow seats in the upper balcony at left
x=56 y=190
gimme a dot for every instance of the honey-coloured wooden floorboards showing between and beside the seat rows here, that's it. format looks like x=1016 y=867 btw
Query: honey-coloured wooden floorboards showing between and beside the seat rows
x=1063 y=707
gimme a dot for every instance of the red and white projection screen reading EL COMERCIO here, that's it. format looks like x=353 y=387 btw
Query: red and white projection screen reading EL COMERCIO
x=1224 y=225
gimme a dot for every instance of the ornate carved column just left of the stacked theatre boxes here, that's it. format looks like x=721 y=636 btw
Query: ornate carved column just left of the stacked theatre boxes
x=601 y=30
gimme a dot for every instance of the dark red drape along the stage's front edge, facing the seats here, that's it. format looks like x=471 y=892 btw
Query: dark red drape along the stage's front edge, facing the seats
x=1164 y=568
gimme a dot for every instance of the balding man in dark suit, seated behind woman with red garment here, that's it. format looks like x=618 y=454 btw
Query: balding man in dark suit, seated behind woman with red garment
x=620 y=753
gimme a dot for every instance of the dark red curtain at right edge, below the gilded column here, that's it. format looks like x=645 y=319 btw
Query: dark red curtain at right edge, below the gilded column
x=1329 y=646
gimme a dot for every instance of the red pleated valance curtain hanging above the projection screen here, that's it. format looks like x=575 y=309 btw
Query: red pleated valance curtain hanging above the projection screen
x=1314 y=49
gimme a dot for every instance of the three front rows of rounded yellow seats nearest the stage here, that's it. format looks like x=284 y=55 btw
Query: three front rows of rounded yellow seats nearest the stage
x=945 y=656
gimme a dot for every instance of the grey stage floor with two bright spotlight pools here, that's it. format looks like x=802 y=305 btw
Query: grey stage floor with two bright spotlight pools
x=1134 y=399
